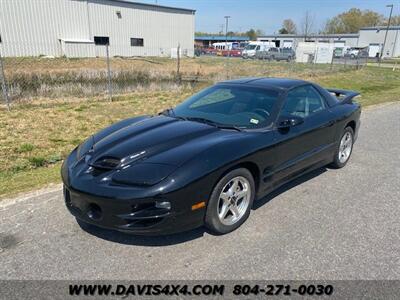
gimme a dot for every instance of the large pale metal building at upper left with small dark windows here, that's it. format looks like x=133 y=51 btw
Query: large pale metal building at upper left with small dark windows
x=81 y=28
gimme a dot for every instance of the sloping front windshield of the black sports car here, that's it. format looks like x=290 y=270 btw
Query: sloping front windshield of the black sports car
x=236 y=106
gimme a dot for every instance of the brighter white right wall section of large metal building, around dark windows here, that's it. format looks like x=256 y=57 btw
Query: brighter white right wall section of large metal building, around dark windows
x=161 y=29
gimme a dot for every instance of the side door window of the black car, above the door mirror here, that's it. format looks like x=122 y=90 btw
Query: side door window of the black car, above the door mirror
x=303 y=102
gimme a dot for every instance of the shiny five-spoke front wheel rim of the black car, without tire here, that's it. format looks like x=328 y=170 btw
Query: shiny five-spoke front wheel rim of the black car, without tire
x=234 y=200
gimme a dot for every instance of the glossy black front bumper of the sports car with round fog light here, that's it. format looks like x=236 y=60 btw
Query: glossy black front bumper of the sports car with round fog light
x=136 y=216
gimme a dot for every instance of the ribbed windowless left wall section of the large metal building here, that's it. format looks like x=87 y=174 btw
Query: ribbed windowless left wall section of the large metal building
x=32 y=28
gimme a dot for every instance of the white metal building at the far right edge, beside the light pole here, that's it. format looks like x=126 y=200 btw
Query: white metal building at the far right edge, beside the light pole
x=373 y=37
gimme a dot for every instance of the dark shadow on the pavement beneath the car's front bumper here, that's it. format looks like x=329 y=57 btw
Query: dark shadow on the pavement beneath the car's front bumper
x=140 y=240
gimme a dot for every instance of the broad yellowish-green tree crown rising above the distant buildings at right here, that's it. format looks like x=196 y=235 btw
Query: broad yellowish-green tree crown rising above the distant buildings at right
x=352 y=20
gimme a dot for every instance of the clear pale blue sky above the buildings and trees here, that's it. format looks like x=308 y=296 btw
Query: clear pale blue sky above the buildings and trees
x=268 y=14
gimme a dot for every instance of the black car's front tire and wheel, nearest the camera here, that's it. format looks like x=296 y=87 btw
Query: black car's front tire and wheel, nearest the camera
x=231 y=201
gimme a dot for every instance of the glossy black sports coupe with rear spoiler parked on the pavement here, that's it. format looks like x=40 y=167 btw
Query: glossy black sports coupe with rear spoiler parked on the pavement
x=206 y=160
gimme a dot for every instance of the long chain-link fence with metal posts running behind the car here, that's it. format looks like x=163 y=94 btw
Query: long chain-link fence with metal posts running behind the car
x=105 y=76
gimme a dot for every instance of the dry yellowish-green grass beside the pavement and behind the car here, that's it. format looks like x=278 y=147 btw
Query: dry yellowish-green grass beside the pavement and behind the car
x=37 y=134
